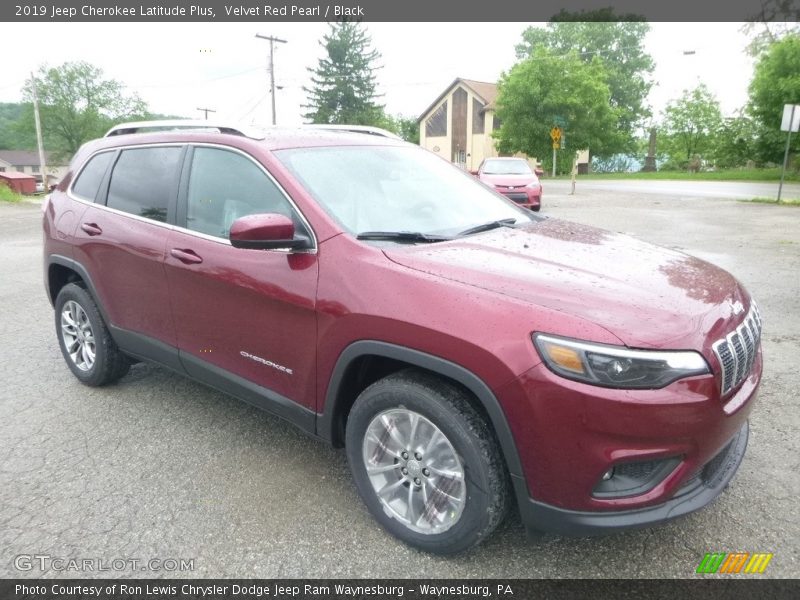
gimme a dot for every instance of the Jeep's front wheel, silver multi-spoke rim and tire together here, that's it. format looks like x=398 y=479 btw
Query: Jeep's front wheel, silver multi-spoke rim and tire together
x=426 y=463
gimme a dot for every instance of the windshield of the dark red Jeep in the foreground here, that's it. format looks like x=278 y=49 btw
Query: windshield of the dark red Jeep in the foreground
x=396 y=189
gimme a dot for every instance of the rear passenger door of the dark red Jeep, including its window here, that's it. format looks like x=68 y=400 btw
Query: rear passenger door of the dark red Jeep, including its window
x=121 y=241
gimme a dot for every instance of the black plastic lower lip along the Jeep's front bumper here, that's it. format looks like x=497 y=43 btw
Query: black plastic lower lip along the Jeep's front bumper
x=699 y=491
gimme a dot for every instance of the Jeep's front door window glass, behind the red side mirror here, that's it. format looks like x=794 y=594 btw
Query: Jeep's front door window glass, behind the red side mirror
x=224 y=186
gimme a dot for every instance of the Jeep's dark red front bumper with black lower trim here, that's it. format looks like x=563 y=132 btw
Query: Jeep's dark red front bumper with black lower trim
x=683 y=441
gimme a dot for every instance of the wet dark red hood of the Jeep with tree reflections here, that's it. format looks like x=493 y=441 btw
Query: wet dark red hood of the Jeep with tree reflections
x=645 y=295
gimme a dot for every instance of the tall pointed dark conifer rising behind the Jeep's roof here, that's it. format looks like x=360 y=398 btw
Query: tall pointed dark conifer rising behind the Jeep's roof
x=344 y=82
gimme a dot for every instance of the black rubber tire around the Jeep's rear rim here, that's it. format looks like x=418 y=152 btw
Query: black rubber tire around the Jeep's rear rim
x=109 y=363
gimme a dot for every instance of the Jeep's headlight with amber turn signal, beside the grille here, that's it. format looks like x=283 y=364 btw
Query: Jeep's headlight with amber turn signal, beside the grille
x=617 y=366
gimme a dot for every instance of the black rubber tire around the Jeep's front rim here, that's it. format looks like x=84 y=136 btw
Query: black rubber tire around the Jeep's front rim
x=486 y=483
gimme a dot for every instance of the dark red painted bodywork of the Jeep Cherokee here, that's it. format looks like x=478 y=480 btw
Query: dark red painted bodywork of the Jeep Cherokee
x=474 y=302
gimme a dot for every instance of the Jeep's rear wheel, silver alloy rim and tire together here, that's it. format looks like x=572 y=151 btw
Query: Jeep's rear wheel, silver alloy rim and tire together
x=86 y=344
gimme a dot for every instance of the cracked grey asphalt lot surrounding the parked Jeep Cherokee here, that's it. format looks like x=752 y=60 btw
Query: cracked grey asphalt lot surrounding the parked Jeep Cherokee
x=158 y=467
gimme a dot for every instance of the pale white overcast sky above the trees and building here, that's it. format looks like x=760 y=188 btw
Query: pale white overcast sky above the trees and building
x=178 y=68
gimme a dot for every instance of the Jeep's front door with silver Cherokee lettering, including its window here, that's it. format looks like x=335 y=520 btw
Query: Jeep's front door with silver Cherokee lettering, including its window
x=245 y=315
